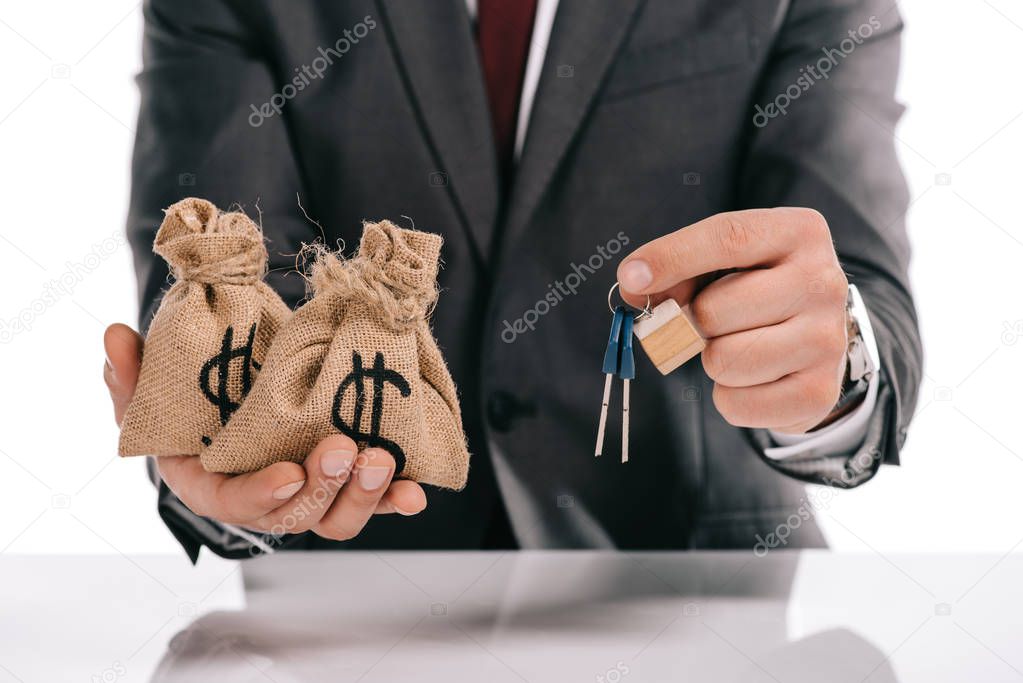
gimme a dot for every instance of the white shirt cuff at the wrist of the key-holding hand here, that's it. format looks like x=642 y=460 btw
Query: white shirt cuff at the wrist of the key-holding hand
x=848 y=433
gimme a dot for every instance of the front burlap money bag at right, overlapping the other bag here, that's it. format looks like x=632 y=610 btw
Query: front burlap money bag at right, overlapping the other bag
x=358 y=358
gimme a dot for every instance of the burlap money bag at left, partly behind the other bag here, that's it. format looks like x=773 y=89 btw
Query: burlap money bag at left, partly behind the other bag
x=211 y=333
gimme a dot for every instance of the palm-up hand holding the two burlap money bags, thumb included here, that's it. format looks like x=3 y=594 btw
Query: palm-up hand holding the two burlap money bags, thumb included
x=334 y=493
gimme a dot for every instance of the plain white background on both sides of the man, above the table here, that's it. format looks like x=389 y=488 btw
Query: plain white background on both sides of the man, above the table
x=67 y=117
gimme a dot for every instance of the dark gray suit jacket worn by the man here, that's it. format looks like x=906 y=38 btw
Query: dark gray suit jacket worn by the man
x=644 y=122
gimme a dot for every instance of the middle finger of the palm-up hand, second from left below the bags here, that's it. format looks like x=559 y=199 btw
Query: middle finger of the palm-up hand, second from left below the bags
x=328 y=469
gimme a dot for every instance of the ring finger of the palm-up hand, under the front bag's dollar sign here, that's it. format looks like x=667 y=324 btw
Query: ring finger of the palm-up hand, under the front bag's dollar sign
x=360 y=498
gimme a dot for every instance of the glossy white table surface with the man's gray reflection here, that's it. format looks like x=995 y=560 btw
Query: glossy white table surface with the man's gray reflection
x=514 y=617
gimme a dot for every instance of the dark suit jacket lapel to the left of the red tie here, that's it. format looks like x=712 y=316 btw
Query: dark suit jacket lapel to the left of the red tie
x=434 y=44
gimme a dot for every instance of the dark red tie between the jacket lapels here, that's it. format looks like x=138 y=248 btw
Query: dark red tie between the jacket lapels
x=505 y=29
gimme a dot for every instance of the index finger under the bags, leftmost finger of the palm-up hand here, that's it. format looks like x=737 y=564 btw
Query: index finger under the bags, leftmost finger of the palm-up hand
x=234 y=499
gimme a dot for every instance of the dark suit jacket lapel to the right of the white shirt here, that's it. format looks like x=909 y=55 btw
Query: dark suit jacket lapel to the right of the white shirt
x=585 y=39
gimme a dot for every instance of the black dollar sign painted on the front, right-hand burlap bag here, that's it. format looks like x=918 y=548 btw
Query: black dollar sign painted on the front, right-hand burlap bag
x=380 y=376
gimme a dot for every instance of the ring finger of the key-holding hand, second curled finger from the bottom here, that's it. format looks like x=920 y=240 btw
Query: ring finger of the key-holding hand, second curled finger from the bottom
x=769 y=354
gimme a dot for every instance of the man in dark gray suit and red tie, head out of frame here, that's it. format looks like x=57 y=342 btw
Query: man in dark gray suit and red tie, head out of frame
x=735 y=156
